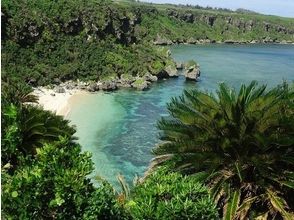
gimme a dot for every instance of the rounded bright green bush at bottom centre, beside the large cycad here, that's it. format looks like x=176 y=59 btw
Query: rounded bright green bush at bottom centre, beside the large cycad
x=165 y=195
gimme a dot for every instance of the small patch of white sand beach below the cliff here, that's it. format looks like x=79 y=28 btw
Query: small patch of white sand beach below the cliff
x=55 y=102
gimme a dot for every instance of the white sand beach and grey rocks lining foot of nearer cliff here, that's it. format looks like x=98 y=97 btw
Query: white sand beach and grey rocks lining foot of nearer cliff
x=56 y=98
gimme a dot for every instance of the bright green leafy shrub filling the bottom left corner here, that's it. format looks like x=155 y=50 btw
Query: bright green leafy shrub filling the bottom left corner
x=54 y=186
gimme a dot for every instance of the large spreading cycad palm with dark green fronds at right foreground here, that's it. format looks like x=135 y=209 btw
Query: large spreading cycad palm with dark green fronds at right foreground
x=241 y=143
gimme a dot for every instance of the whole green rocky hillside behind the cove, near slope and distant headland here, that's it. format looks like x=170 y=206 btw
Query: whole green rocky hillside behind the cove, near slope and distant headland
x=46 y=42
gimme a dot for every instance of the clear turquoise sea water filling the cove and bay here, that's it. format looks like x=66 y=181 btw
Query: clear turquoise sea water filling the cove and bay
x=119 y=128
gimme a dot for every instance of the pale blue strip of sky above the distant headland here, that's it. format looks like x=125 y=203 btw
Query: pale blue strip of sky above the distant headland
x=283 y=8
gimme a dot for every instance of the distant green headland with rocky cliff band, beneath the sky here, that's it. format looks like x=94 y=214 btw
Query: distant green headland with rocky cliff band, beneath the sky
x=189 y=24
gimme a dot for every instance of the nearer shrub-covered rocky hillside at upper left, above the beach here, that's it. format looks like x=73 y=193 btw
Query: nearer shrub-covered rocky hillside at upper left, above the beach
x=87 y=41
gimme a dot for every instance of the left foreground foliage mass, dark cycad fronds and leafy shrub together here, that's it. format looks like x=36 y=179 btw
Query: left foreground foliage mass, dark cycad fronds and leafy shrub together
x=44 y=173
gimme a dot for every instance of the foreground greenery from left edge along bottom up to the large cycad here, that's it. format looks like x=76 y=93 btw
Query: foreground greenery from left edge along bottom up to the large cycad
x=45 y=175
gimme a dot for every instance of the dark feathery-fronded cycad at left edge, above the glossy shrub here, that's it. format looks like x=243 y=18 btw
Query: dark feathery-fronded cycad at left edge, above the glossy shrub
x=26 y=127
